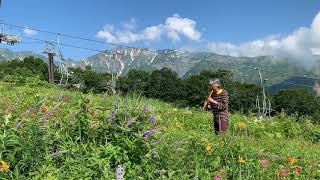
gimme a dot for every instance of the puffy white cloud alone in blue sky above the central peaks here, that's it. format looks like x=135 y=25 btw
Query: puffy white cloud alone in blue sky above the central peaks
x=174 y=28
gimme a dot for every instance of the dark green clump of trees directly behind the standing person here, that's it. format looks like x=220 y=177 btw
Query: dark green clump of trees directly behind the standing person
x=164 y=84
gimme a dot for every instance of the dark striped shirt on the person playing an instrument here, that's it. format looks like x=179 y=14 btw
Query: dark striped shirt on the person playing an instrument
x=222 y=107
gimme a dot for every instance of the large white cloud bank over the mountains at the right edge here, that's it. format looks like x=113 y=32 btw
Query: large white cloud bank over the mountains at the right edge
x=301 y=43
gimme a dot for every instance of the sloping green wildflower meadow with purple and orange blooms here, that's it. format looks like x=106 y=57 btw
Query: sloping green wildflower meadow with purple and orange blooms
x=51 y=133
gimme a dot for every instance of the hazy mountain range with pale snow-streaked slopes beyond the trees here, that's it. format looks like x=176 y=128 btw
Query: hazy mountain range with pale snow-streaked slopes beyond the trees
x=121 y=60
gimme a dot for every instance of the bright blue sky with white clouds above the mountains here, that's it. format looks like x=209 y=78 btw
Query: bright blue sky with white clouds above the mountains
x=230 y=27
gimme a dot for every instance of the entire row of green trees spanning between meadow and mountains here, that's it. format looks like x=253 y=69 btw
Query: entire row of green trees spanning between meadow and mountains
x=162 y=84
